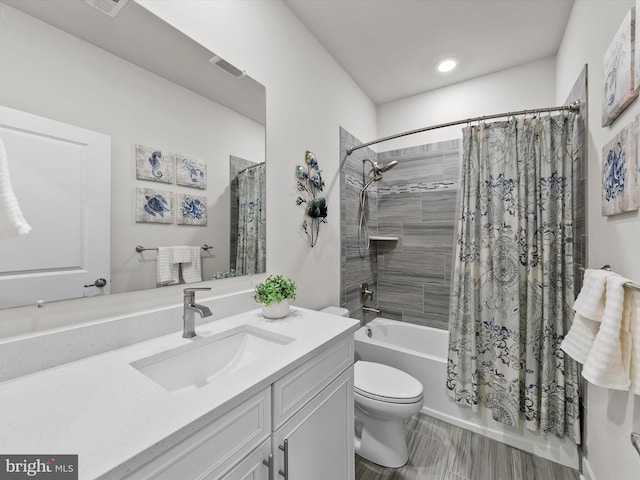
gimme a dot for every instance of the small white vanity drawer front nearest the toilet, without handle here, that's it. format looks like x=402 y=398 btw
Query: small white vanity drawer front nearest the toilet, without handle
x=297 y=388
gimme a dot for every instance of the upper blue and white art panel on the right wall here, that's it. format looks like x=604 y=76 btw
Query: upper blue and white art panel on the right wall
x=619 y=59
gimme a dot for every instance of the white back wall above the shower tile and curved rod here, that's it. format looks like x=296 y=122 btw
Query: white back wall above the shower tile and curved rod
x=525 y=87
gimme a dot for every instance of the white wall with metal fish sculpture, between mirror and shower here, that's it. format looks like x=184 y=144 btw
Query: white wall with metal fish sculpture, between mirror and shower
x=308 y=98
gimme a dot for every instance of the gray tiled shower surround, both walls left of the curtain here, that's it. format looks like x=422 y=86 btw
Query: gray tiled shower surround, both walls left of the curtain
x=415 y=202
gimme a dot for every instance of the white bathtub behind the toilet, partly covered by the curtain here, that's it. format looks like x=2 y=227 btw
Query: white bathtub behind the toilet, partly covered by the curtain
x=422 y=352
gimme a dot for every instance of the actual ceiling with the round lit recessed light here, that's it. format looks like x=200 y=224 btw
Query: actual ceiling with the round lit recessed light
x=390 y=48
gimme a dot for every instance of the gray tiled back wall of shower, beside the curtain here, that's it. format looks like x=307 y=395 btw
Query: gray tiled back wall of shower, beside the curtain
x=417 y=202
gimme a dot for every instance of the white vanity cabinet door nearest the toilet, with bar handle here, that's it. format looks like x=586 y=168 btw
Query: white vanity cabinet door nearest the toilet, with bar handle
x=318 y=440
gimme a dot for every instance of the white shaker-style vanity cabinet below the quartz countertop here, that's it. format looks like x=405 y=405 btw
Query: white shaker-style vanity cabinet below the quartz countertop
x=298 y=428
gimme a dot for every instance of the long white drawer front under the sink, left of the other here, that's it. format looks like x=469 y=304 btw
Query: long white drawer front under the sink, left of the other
x=216 y=447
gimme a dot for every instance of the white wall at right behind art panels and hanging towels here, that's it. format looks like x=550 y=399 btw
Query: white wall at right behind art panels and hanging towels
x=611 y=415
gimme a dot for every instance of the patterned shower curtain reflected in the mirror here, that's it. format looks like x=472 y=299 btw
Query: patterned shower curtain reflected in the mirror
x=251 y=249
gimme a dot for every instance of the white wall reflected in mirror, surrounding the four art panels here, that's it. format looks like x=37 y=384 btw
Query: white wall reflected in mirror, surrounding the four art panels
x=50 y=73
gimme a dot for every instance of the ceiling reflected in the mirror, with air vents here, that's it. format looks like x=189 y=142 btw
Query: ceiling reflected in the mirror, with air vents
x=147 y=41
